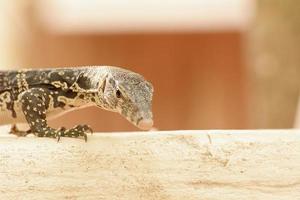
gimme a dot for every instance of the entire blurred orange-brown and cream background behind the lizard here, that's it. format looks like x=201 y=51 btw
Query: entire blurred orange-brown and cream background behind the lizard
x=214 y=64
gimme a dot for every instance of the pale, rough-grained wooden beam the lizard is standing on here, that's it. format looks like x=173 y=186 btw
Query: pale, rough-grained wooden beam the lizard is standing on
x=154 y=165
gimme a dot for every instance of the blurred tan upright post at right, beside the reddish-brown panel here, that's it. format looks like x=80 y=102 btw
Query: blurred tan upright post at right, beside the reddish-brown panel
x=274 y=42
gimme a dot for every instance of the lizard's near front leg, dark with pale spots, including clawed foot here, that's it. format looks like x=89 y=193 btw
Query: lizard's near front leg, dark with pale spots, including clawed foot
x=35 y=103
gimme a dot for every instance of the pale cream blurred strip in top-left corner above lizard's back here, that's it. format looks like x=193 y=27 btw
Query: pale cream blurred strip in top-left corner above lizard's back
x=16 y=32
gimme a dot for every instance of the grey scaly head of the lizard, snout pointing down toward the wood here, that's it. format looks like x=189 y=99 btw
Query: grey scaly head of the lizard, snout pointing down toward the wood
x=129 y=94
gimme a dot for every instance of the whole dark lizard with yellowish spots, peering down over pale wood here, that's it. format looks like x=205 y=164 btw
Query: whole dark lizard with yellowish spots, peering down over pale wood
x=33 y=96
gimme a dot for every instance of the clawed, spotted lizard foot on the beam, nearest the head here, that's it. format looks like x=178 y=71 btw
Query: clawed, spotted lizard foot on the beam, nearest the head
x=77 y=131
